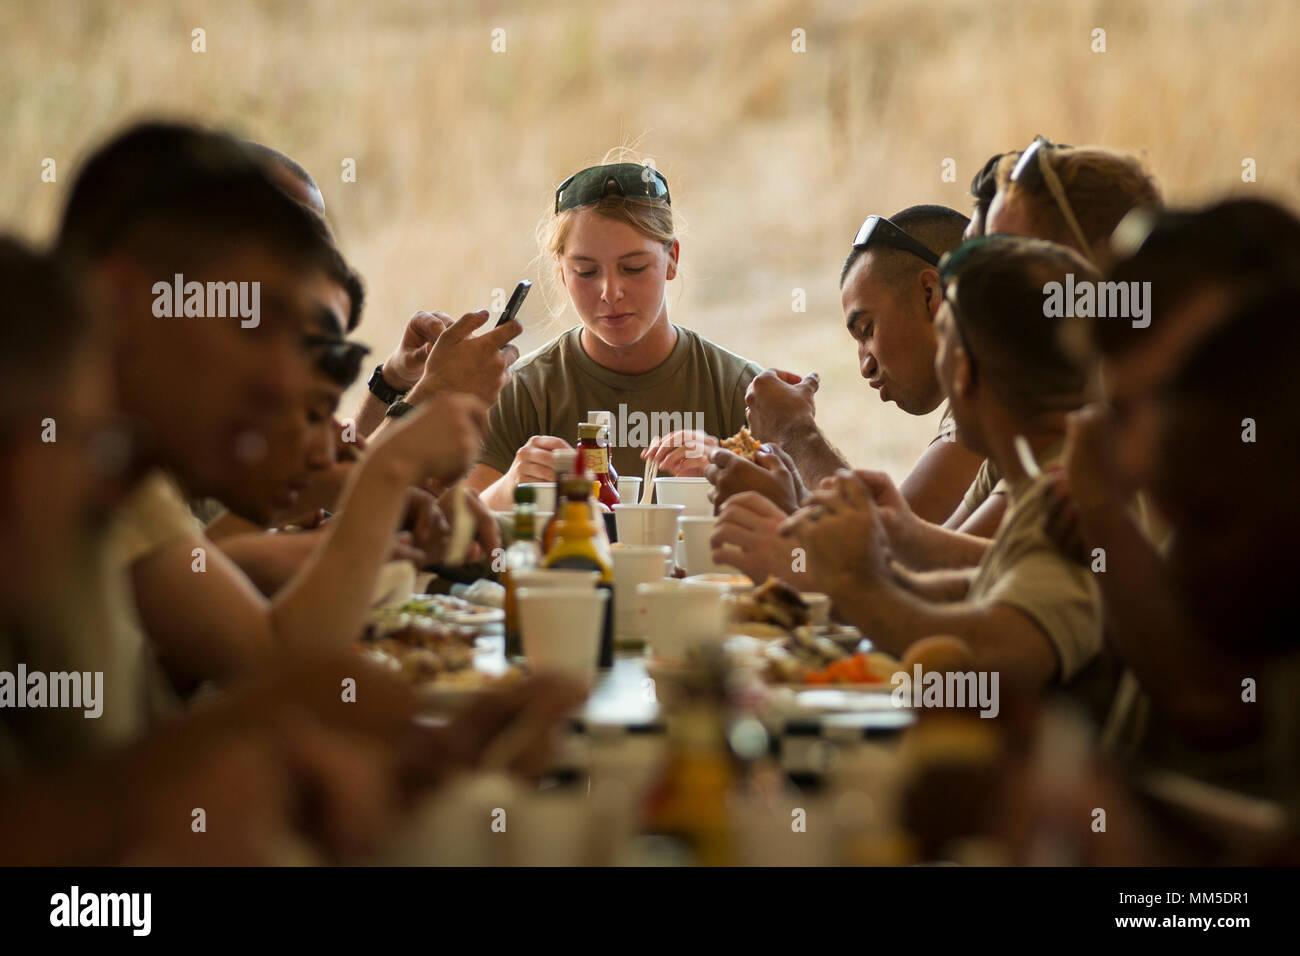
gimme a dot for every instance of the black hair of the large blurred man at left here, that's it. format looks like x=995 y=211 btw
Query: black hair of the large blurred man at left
x=183 y=194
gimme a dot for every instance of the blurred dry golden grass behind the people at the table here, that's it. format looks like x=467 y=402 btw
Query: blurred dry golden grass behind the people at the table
x=774 y=157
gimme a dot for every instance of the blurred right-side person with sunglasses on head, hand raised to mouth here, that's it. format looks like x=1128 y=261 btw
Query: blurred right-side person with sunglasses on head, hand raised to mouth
x=1199 y=265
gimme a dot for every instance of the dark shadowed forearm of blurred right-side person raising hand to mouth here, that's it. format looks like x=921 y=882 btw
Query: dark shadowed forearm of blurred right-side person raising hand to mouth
x=1155 y=637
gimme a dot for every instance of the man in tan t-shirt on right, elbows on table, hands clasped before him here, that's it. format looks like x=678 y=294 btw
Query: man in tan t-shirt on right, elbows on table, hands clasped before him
x=1028 y=612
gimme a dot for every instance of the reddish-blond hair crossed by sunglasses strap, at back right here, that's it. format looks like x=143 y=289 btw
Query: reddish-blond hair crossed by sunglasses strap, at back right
x=1102 y=187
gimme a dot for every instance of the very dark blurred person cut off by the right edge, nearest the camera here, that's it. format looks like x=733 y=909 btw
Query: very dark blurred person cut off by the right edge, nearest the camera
x=1234 y=569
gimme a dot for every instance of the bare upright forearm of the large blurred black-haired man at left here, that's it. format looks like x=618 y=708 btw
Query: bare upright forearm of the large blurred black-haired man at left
x=326 y=603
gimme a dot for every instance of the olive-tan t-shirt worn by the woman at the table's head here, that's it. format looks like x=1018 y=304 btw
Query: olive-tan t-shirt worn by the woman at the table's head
x=700 y=386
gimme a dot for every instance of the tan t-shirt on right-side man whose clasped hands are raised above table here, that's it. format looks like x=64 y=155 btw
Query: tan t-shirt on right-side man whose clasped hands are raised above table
x=1025 y=570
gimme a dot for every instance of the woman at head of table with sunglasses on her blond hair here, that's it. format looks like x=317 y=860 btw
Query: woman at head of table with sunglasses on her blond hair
x=671 y=391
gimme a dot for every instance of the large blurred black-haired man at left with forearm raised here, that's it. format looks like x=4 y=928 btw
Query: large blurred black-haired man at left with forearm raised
x=131 y=228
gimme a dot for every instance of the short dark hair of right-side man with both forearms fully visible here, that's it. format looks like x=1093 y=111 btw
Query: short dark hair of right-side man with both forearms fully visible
x=1022 y=353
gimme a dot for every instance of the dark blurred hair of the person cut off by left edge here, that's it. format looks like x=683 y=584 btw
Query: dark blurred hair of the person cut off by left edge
x=42 y=319
